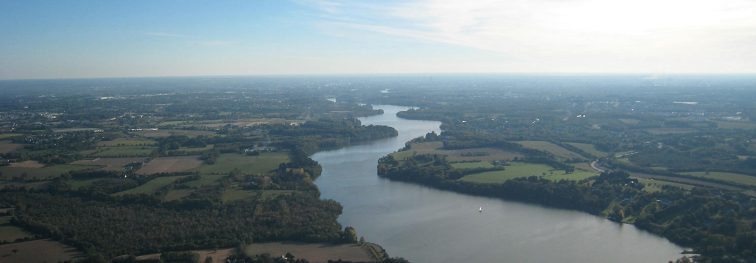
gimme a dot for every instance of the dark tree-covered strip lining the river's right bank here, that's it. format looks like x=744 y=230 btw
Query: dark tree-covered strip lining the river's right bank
x=686 y=218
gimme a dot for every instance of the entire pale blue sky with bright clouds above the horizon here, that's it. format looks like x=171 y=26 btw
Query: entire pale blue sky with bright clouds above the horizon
x=139 y=38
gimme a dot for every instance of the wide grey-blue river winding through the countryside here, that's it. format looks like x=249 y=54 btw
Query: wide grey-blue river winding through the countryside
x=426 y=225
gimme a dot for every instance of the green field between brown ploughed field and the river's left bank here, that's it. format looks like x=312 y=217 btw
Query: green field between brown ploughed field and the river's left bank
x=260 y=164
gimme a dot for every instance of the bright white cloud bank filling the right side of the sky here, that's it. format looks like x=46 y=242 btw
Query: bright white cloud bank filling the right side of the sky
x=574 y=35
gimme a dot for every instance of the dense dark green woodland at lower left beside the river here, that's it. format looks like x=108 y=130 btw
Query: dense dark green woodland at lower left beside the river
x=127 y=227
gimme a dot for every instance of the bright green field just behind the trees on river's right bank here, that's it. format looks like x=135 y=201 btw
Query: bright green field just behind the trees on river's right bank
x=519 y=169
